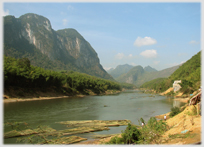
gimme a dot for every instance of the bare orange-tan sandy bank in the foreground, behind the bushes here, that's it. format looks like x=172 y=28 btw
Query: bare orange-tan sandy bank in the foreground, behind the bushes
x=185 y=128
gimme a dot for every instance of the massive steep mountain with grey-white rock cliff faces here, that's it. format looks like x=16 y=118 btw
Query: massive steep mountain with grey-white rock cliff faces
x=32 y=36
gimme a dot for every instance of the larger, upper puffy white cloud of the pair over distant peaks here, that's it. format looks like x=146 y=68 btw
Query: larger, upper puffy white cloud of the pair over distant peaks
x=144 y=41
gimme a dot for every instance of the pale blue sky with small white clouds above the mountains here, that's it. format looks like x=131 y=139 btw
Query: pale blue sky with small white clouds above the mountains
x=158 y=34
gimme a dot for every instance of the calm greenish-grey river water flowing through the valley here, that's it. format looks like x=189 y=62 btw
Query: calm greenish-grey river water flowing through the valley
x=131 y=105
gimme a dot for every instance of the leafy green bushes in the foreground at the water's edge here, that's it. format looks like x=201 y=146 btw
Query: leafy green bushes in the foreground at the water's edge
x=147 y=134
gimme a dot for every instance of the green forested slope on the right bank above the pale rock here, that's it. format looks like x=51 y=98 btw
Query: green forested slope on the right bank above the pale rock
x=189 y=73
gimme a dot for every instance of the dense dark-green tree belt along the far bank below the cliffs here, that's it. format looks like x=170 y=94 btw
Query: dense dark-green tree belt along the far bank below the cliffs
x=19 y=73
